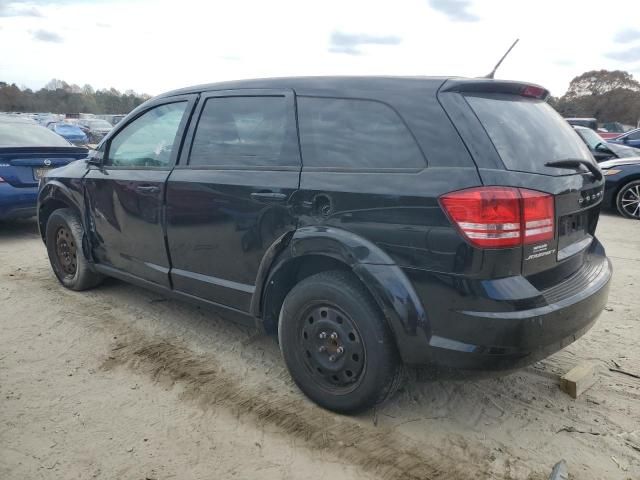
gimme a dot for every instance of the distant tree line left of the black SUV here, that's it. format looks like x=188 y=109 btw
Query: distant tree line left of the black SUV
x=59 y=97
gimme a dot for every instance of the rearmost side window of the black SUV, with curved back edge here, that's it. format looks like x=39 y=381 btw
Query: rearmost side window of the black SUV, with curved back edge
x=354 y=134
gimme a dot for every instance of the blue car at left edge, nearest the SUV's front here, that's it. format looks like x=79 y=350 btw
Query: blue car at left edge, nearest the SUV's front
x=27 y=153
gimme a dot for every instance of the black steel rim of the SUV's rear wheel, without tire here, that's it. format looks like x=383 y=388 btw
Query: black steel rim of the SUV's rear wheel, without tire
x=332 y=349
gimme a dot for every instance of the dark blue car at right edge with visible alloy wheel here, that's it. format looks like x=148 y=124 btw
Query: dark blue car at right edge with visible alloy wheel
x=622 y=187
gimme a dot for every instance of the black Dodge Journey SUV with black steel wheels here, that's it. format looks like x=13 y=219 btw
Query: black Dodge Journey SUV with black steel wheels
x=368 y=222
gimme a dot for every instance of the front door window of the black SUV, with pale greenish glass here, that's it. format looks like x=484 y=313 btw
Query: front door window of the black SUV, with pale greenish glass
x=149 y=140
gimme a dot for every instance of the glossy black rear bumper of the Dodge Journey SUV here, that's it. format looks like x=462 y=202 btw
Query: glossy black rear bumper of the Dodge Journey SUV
x=510 y=332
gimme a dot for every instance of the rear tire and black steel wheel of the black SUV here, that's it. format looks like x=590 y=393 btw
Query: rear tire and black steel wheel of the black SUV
x=366 y=372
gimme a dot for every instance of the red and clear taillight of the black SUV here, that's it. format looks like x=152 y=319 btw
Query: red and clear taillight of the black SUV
x=499 y=217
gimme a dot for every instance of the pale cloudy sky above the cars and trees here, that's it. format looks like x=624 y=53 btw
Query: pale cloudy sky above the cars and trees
x=152 y=46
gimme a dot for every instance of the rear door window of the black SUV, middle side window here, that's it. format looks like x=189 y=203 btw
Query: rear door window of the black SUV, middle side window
x=244 y=132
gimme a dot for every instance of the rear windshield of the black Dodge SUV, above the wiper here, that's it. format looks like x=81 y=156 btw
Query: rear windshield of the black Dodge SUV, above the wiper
x=527 y=133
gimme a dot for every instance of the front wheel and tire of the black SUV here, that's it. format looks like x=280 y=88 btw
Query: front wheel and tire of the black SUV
x=65 y=248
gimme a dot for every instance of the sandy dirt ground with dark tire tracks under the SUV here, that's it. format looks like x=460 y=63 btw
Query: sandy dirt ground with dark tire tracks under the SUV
x=120 y=383
